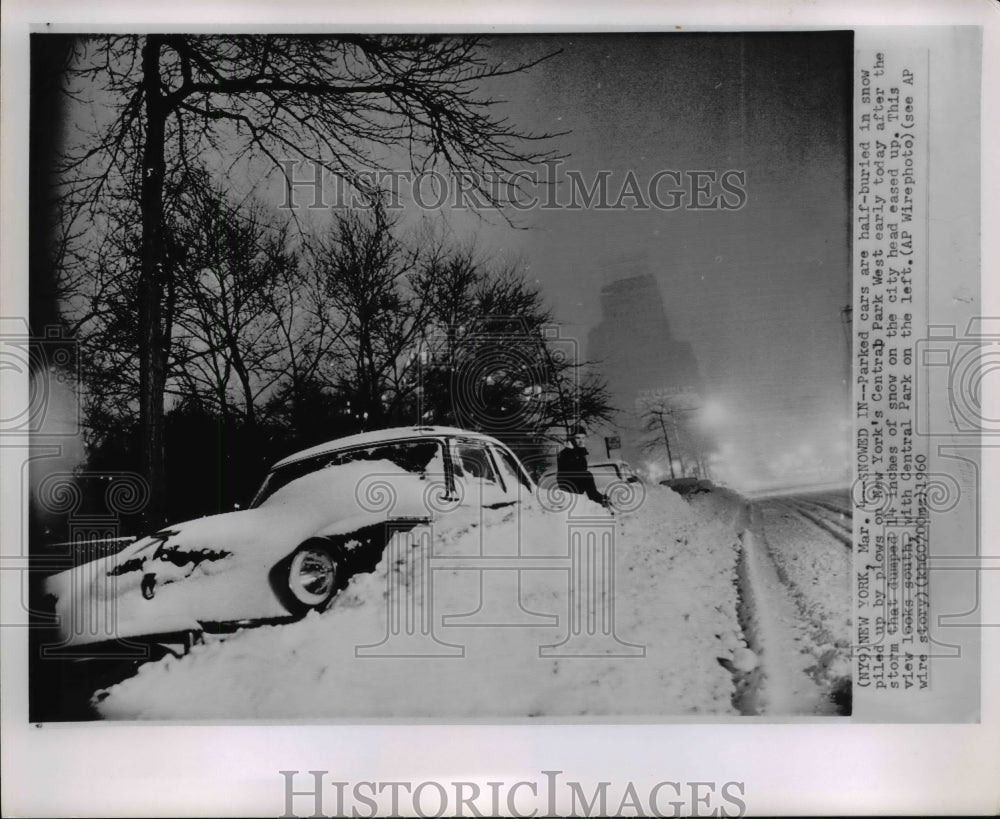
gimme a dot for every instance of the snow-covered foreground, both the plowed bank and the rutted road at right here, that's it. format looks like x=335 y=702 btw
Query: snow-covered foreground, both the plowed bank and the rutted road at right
x=715 y=606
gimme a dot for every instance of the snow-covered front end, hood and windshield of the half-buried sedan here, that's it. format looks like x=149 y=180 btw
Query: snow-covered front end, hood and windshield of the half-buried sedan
x=222 y=561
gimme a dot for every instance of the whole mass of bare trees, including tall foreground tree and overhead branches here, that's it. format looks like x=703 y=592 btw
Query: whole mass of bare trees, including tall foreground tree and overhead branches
x=215 y=336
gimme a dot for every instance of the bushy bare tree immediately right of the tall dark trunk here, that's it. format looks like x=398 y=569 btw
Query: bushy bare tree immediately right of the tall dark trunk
x=237 y=285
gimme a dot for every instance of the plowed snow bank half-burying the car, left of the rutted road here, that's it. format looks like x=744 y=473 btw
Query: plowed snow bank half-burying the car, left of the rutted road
x=560 y=640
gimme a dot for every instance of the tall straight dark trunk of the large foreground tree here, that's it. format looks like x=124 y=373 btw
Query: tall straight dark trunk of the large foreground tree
x=152 y=347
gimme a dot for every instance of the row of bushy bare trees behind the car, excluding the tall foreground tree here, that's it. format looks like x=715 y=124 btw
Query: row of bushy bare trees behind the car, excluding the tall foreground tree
x=280 y=340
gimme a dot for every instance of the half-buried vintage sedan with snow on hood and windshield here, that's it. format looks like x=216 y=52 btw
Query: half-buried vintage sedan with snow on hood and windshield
x=320 y=516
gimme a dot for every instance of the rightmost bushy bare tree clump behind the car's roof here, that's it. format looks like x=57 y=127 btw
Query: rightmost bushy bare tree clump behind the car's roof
x=493 y=359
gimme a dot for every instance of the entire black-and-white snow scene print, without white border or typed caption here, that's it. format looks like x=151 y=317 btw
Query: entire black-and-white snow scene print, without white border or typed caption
x=514 y=367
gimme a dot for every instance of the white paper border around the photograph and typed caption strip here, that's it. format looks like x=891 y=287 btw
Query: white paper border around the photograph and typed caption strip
x=169 y=769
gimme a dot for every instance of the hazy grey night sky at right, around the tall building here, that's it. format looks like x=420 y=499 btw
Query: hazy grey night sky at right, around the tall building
x=757 y=291
